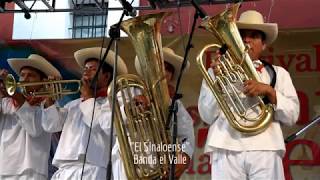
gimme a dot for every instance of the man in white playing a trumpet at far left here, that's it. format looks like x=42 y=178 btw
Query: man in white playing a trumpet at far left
x=24 y=145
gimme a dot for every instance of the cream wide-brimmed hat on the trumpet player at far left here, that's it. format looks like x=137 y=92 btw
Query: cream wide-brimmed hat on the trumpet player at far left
x=35 y=61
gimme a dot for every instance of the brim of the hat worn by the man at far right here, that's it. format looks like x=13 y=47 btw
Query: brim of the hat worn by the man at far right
x=270 y=29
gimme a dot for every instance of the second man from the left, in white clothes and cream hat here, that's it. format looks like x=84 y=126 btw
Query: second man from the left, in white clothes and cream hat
x=82 y=151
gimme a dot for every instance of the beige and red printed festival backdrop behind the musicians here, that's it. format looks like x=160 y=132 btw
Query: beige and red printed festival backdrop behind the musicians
x=297 y=51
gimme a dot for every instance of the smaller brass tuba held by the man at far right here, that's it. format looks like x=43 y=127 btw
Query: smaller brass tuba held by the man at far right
x=235 y=67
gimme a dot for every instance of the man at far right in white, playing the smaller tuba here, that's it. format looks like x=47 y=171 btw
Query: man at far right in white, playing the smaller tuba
x=236 y=155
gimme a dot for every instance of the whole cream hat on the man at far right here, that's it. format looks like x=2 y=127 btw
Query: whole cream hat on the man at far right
x=254 y=20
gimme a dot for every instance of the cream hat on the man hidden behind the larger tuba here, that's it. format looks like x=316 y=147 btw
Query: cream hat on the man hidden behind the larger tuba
x=170 y=57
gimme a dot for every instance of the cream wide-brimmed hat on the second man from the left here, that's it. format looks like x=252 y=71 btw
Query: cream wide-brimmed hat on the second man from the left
x=95 y=52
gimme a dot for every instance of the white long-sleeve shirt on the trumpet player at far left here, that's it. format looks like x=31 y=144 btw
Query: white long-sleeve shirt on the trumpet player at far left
x=24 y=145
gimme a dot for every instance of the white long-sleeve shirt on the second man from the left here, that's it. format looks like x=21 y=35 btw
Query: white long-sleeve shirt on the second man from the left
x=74 y=121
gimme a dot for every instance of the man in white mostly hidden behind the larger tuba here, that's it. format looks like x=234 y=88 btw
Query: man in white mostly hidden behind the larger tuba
x=186 y=137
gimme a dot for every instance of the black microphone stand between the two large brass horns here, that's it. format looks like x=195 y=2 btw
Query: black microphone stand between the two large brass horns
x=173 y=108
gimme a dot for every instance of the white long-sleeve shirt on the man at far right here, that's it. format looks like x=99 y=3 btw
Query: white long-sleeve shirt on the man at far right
x=221 y=135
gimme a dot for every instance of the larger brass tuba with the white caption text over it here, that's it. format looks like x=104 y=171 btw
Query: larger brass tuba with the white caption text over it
x=141 y=127
